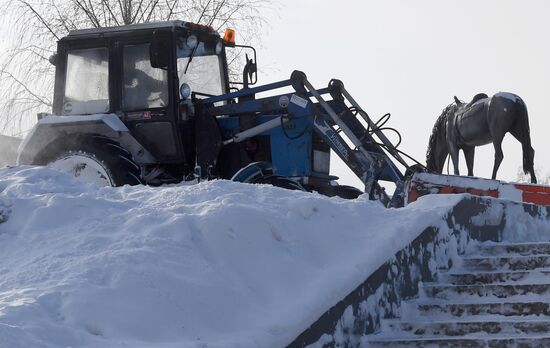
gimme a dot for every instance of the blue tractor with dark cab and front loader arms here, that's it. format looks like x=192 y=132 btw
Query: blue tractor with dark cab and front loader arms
x=153 y=103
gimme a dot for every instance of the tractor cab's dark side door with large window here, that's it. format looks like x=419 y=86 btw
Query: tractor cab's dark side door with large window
x=146 y=100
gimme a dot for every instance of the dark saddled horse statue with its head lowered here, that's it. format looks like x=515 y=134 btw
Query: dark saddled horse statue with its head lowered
x=484 y=120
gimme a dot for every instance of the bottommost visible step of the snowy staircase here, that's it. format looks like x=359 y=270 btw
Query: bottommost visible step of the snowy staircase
x=538 y=341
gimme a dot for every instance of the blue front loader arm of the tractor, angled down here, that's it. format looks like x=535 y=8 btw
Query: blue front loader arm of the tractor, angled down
x=323 y=111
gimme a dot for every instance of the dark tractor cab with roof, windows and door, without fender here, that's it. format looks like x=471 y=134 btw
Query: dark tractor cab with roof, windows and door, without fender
x=137 y=72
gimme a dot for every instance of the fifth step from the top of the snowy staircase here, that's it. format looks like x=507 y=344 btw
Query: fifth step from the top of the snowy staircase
x=446 y=309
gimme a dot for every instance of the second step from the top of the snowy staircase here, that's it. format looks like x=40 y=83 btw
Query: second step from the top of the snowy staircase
x=505 y=263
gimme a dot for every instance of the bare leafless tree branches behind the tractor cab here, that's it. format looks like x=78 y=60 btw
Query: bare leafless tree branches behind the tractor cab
x=33 y=28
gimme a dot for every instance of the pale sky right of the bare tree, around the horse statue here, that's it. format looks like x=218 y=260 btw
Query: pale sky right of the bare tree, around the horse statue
x=411 y=57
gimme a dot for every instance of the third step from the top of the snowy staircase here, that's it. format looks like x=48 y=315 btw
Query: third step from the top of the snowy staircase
x=492 y=277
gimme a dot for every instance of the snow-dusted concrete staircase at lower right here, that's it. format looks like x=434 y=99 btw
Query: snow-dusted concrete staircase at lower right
x=498 y=297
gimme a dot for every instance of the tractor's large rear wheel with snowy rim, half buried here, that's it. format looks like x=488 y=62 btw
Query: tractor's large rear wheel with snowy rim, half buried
x=94 y=159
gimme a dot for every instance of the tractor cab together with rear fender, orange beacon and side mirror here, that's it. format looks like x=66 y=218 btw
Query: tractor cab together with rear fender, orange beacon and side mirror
x=146 y=78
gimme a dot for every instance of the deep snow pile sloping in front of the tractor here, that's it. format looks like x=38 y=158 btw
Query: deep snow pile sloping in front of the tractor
x=218 y=264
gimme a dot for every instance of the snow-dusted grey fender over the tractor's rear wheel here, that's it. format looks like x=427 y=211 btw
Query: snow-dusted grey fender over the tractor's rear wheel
x=54 y=128
